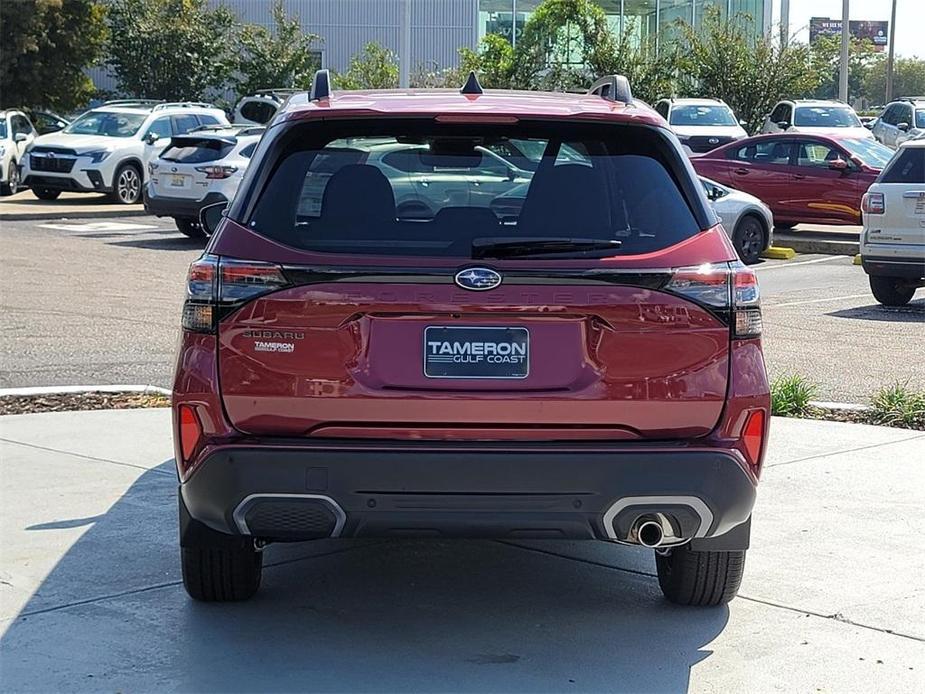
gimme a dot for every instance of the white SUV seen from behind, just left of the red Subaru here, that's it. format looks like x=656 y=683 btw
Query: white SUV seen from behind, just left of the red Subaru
x=198 y=169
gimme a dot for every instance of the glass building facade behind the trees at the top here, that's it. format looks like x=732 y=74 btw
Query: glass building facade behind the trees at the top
x=643 y=20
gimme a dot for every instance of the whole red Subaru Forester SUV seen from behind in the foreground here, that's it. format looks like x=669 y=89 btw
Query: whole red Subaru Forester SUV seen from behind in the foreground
x=446 y=313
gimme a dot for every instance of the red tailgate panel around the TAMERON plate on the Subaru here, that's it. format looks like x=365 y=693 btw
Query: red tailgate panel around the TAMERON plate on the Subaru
x=418 y=361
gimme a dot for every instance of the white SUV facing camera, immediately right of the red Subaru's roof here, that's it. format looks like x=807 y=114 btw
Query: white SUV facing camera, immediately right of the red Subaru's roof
x=701 y=124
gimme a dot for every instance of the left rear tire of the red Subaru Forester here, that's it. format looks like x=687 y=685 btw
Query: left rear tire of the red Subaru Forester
x=221 y=574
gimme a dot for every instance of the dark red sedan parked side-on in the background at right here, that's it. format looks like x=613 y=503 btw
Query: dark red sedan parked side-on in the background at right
x=802 y=178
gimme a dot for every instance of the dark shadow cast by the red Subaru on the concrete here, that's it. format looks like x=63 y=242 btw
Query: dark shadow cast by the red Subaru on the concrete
x=341 y=615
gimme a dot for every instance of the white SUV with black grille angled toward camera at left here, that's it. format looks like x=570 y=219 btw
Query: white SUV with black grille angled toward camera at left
x=107 y=150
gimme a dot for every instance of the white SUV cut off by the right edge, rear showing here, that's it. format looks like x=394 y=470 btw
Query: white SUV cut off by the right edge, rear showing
x=893 y=241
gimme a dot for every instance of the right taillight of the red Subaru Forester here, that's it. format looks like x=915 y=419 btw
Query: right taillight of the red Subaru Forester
x=729 y=289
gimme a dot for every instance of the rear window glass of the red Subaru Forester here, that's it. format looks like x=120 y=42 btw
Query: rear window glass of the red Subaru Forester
x=424 y=189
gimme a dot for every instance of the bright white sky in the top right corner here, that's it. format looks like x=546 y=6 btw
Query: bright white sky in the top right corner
x=910 y=18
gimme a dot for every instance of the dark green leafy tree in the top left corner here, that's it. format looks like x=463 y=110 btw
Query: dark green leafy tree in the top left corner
x=47 y=44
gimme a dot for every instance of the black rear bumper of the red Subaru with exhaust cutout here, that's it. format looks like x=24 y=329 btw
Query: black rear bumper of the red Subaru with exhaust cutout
x=365 y=489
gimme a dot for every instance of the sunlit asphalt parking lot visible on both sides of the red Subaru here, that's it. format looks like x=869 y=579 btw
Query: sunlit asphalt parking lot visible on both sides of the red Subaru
x=97 y=301
